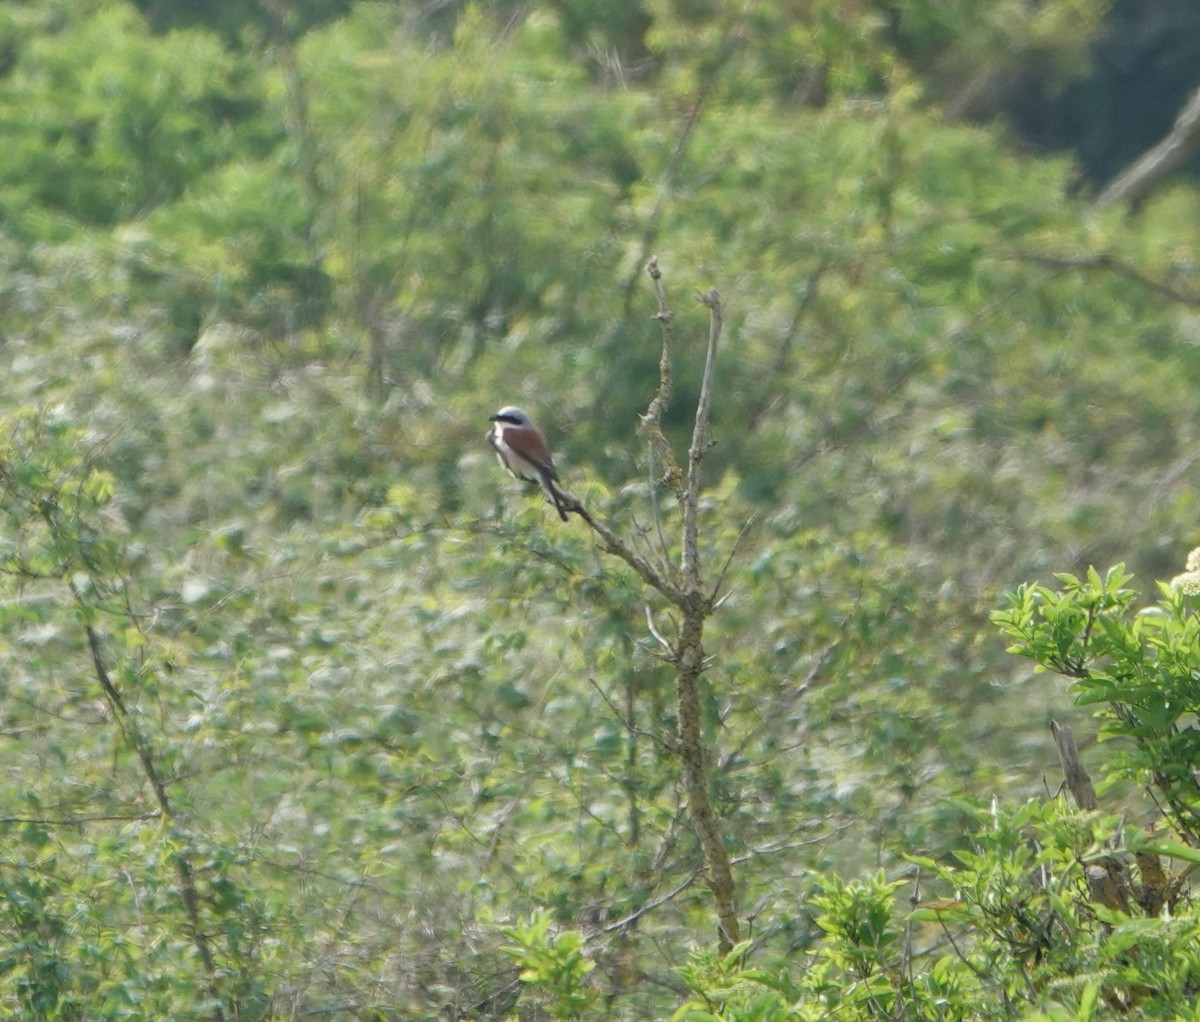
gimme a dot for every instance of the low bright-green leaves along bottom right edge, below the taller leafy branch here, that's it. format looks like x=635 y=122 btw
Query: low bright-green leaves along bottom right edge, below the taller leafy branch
x=1018 y=935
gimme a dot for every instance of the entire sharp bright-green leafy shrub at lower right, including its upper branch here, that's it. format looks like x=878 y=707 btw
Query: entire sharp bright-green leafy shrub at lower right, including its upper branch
x=1047 y=912
